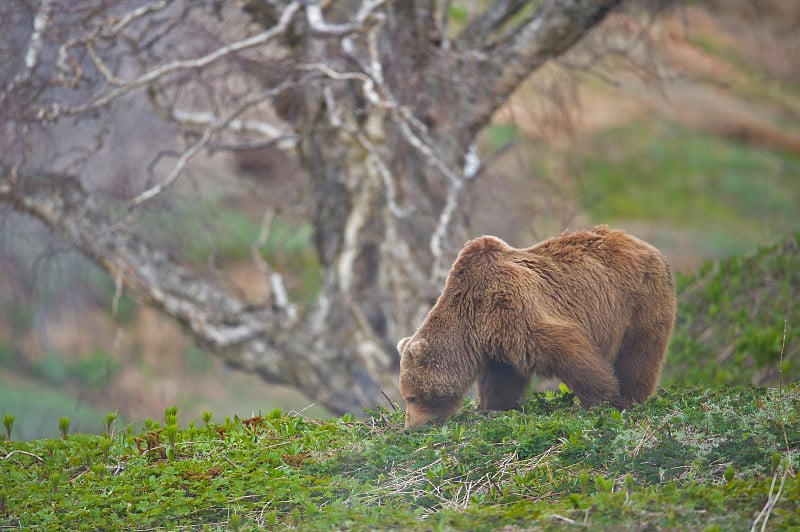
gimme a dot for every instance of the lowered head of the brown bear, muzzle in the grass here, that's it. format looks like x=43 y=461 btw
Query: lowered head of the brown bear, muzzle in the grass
x=427 y=388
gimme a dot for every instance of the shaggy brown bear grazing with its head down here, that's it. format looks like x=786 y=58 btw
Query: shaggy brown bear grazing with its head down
x=592 y=308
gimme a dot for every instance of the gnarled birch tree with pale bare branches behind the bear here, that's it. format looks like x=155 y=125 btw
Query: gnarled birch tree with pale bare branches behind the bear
x=380 y=101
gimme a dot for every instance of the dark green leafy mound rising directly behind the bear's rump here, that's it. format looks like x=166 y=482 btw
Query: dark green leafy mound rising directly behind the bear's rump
x=732 y=315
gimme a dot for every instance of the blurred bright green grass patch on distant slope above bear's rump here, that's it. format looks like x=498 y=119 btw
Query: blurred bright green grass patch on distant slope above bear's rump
x=732 y=193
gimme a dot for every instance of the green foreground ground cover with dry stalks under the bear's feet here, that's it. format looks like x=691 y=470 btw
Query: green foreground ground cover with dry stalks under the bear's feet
x=696 y=459
